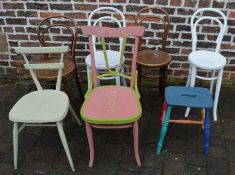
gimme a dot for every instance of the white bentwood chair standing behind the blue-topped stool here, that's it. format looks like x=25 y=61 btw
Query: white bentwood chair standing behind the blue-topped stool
x=212 y=61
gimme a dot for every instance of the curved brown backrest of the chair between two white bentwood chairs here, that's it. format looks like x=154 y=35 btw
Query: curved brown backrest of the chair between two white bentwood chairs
x=165 y=19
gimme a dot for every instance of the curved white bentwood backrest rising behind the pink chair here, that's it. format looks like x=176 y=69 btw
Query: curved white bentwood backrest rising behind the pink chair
x=110 y=18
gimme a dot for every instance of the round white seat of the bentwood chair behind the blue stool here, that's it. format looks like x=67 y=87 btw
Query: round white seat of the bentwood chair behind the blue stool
x=207 y=59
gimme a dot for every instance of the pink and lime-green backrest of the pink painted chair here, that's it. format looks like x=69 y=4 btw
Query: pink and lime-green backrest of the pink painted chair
x=108 y=32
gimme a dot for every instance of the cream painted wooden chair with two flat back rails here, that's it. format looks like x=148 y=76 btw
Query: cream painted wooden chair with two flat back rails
x=42 y=107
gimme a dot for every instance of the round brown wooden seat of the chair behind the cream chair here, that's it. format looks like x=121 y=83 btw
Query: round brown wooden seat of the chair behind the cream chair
x=68 y=70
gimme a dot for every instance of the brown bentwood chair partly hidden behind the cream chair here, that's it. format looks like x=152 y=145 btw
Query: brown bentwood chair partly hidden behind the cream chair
x=67 y=26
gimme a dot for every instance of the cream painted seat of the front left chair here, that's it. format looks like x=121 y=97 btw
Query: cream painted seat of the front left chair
x=40 y=107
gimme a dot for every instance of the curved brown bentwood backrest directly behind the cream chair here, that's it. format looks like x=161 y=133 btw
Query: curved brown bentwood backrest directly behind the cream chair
x=64 y=27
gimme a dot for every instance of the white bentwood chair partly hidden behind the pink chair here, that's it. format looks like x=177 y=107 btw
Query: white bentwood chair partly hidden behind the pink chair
x=99 y=56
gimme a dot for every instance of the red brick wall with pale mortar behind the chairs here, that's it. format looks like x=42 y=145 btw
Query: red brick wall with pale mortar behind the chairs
x=19 y=22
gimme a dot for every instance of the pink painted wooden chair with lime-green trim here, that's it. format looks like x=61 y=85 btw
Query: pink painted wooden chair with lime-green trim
x=112 y=107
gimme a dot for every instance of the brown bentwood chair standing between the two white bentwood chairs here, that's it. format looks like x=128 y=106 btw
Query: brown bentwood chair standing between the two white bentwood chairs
x=154 y=58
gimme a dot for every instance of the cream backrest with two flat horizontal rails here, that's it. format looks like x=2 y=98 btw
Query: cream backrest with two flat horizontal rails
x=43 y=50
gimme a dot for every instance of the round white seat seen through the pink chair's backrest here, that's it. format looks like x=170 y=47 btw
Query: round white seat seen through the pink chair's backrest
x=113 y=59
